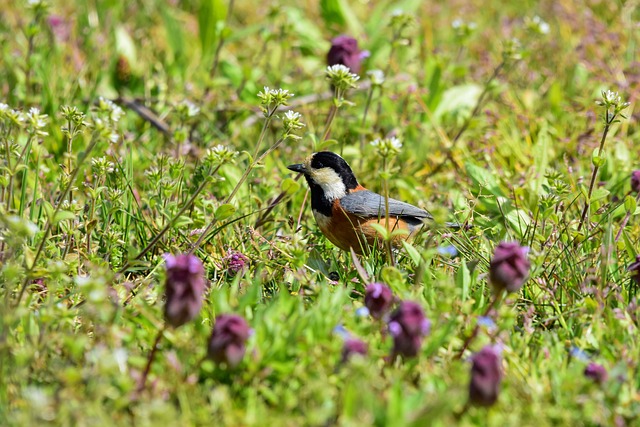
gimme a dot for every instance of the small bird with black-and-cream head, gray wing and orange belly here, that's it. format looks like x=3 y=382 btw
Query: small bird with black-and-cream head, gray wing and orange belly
x=345 y=210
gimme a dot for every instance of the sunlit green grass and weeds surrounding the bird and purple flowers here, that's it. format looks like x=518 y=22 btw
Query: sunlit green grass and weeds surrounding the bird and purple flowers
x=498 y=135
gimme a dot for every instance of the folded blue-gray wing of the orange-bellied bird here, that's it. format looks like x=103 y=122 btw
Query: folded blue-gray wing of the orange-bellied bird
x=369 y=204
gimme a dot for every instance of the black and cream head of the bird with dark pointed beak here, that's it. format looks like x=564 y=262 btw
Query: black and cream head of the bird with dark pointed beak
x=327 y=173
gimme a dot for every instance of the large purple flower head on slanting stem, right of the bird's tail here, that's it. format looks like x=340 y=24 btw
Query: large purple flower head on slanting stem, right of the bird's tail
x=509 y=267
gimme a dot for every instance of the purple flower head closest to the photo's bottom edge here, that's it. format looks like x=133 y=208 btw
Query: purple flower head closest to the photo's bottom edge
x=486 y=375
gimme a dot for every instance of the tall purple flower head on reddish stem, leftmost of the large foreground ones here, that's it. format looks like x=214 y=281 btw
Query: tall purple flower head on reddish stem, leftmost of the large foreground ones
x=184 y=288
